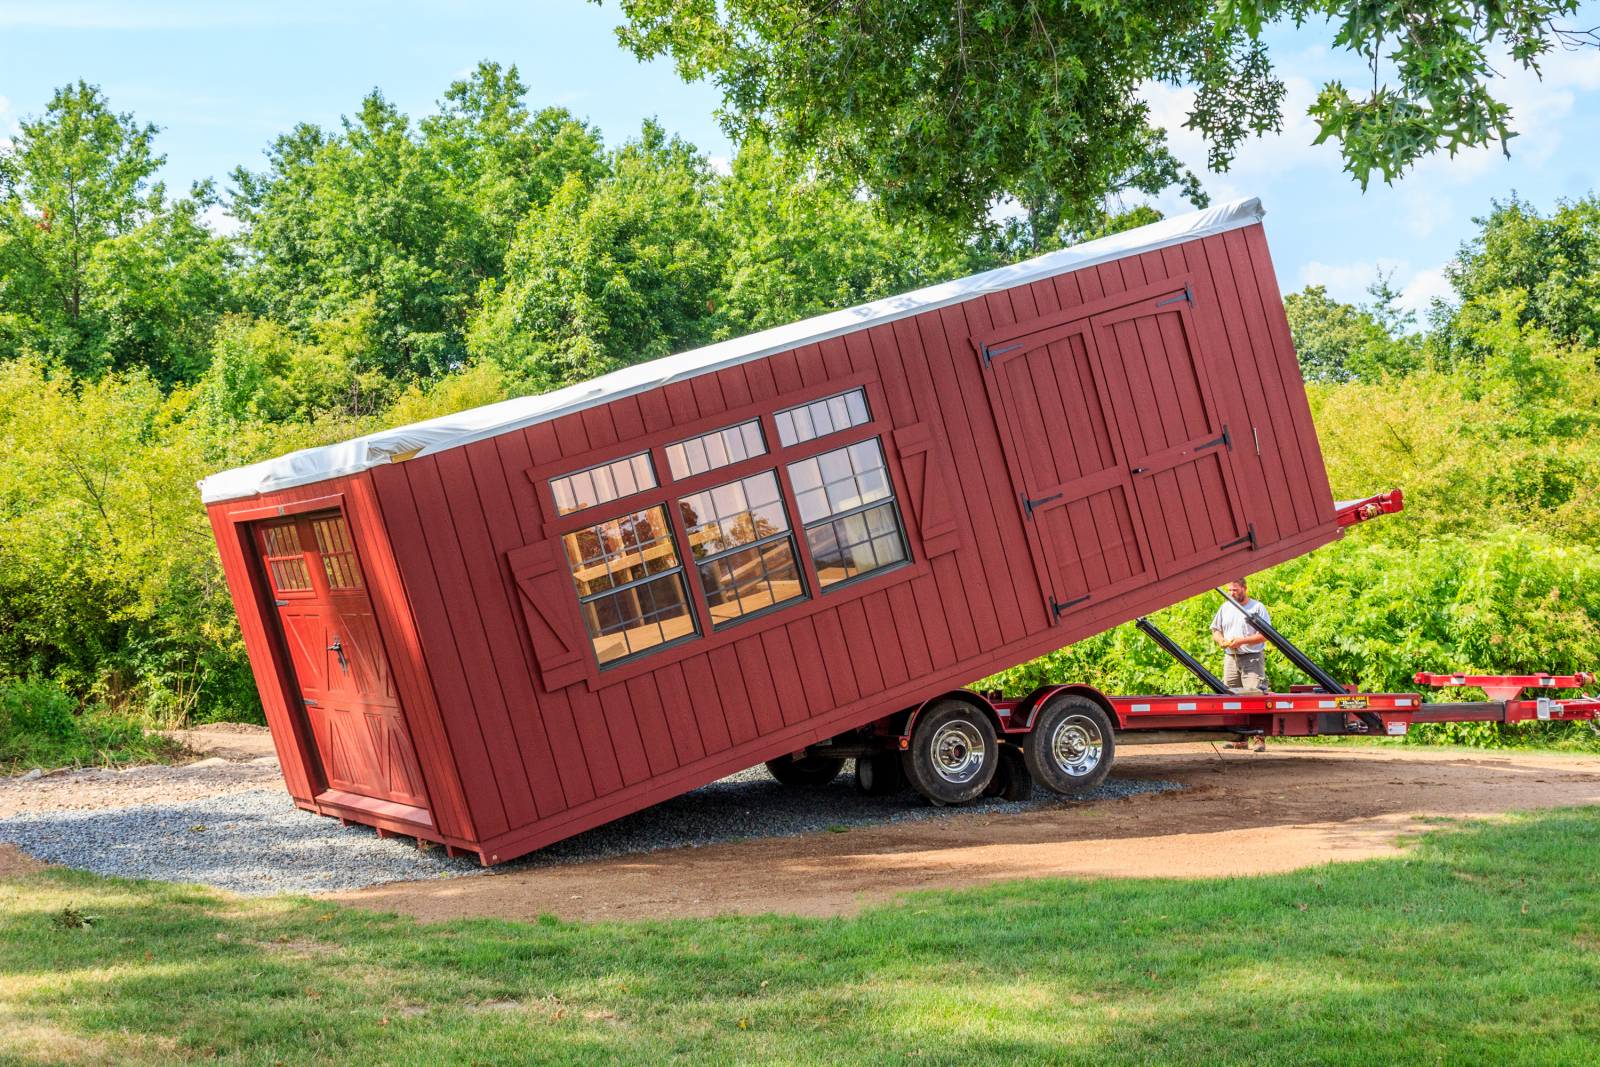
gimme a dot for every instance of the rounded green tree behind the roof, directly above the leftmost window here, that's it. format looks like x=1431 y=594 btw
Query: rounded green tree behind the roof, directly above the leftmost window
x=614 y=273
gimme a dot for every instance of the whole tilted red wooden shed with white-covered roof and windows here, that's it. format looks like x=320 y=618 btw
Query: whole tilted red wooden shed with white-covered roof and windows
x=502 y=628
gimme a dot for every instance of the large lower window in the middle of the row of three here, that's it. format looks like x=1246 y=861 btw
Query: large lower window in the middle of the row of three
x=742 y=541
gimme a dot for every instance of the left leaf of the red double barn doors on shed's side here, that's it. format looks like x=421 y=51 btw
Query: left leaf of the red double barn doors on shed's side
x=1073 y=478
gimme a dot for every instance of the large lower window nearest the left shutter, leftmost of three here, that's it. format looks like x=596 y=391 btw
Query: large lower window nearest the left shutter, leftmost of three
x=630 y=585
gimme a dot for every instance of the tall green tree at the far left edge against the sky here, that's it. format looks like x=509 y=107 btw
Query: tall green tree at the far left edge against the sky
x=98 y=270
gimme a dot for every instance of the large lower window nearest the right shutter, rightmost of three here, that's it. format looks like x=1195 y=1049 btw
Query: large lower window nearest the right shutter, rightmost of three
x=847 y=508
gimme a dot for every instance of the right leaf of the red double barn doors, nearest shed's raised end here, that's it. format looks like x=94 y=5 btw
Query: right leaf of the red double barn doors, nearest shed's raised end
x=1175 y=441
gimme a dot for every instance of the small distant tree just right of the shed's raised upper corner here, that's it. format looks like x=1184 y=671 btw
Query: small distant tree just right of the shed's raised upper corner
x=1340 y=343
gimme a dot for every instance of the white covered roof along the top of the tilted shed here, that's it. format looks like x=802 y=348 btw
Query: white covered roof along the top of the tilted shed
x=463 y=428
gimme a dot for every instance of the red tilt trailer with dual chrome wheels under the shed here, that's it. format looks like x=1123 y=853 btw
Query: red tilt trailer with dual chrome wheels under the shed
x=1065 y=737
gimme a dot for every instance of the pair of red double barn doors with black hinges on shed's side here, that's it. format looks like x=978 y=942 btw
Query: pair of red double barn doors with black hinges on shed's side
x=1116 y=449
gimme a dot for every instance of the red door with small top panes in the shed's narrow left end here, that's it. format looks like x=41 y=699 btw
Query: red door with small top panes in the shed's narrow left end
x=330 y=634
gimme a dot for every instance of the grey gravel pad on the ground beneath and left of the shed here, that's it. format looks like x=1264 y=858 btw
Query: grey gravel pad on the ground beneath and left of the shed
x=260 y=844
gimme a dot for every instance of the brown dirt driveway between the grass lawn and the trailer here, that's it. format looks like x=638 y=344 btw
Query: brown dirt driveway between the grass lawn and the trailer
x=1239 y=813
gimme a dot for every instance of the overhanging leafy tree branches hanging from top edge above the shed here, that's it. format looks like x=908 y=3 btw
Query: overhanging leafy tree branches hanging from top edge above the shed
x=951 y=106
